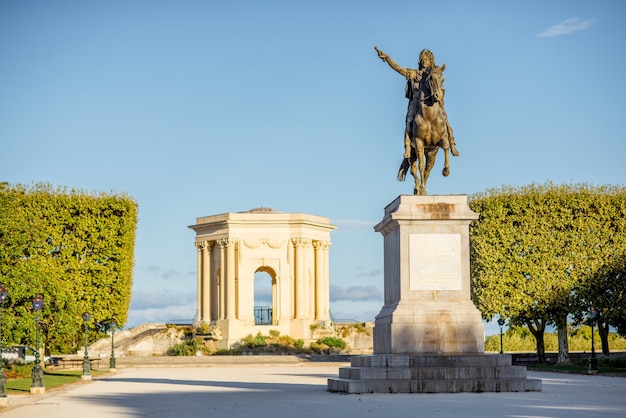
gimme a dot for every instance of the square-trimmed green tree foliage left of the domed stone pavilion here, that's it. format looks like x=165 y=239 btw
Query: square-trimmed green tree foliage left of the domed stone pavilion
x=74 y=248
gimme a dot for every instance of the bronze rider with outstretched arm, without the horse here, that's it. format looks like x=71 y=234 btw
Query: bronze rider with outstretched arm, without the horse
x=414 y=78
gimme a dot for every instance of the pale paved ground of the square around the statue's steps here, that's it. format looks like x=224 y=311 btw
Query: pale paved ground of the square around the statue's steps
x=241 y=387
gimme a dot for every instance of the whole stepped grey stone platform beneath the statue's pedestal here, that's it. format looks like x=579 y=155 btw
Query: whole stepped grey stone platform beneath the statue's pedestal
x=399 y=373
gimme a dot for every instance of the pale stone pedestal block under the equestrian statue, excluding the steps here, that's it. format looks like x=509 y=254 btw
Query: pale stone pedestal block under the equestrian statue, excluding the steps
x=427 y=278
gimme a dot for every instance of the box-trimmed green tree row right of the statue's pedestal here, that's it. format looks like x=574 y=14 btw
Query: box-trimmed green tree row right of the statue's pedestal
x=534 y=248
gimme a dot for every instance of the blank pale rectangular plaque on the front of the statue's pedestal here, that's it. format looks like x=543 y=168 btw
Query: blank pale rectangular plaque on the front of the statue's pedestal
x=435 y=262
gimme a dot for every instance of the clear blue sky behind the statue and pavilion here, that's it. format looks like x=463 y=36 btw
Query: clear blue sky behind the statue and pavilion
x=198 y=108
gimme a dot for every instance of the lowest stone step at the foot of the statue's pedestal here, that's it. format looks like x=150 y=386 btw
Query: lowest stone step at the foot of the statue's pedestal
x=433 y=386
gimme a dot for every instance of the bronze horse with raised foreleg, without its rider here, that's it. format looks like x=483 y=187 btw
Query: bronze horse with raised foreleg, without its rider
x=430 y=131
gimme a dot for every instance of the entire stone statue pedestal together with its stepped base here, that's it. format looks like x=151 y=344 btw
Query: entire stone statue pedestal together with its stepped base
x=429 y=336
